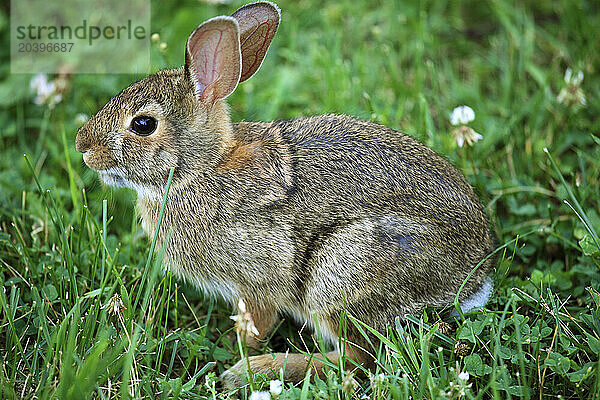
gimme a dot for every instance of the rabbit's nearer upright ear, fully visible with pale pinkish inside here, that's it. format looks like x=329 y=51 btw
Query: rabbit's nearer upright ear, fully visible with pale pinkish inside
x=212 y=59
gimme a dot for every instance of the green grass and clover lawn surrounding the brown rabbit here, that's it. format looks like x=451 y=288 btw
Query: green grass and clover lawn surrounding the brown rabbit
x=87 y=312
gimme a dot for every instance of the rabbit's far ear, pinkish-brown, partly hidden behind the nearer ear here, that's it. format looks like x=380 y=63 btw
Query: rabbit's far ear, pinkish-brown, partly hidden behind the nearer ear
x=258 y=23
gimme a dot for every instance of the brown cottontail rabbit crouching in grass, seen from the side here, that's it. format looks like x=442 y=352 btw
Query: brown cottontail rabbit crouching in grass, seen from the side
x=306 y=218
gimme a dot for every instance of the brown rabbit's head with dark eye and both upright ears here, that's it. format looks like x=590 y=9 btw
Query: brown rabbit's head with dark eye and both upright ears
x=178 y=118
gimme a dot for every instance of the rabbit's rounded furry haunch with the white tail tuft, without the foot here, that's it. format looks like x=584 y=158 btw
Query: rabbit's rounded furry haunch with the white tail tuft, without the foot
x=383 y=267
